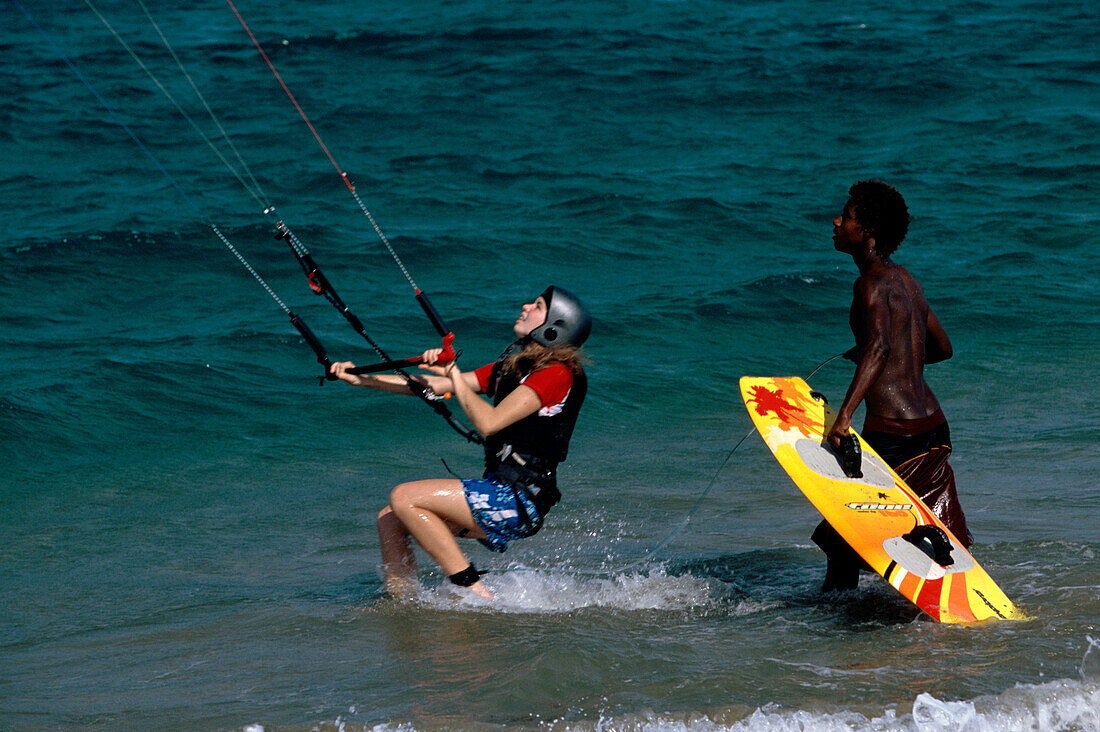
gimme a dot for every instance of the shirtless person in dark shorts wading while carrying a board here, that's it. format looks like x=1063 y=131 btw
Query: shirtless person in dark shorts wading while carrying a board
x=897 y=334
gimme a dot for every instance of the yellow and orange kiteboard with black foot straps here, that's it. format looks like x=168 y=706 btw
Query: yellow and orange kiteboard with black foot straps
x=878 y=515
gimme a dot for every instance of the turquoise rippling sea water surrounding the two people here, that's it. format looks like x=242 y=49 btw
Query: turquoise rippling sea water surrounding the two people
x=189 y=520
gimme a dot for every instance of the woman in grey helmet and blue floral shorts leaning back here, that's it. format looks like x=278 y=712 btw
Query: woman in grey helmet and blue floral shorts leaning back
x=537 y=388
